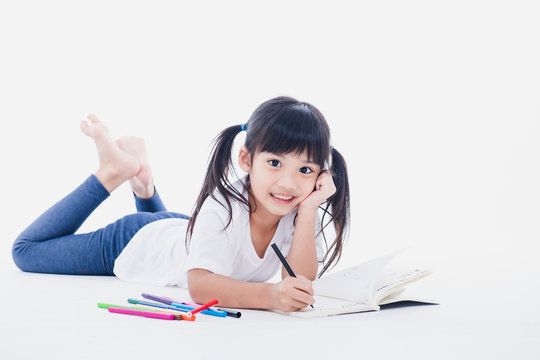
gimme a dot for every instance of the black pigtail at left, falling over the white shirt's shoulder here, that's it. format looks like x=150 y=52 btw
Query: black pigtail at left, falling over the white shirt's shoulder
x=217 y=177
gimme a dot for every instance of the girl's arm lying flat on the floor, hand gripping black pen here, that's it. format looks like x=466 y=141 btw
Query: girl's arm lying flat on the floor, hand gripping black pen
x=290 y=294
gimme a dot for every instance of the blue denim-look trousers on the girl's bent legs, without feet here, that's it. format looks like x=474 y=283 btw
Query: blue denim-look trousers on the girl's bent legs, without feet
x=50 y=245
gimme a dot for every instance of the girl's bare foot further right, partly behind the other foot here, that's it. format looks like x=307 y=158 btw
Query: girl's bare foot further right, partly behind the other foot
x=142 y=184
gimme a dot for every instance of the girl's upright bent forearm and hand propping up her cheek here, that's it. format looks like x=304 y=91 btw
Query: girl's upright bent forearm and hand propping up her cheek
x=302 y=256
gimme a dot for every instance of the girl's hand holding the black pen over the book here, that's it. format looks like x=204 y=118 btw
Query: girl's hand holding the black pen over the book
x=292 y=294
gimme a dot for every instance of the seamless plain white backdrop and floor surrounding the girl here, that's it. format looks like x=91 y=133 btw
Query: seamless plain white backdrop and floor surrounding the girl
x=435 y=106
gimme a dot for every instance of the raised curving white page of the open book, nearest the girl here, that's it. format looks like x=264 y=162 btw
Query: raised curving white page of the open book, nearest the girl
x=356 y=284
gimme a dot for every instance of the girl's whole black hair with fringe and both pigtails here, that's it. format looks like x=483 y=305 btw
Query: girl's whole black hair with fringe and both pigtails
x=281 y=125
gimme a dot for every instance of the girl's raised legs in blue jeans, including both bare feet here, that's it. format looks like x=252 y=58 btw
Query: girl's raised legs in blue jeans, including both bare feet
x=50 y=244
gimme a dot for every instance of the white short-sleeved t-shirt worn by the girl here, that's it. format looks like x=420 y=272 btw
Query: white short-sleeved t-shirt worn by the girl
x=157 y=255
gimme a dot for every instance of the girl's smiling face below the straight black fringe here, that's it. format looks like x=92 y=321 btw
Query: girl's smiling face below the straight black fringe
x=279 y=182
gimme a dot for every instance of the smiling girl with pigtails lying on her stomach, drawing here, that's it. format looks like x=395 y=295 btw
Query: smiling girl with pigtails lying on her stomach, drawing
x=222 y=250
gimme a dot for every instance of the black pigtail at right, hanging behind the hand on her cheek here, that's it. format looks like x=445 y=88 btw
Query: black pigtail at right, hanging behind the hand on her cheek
x=339 y=203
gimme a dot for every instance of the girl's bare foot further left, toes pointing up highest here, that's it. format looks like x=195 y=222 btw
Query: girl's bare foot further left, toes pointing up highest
x=115 y=165
